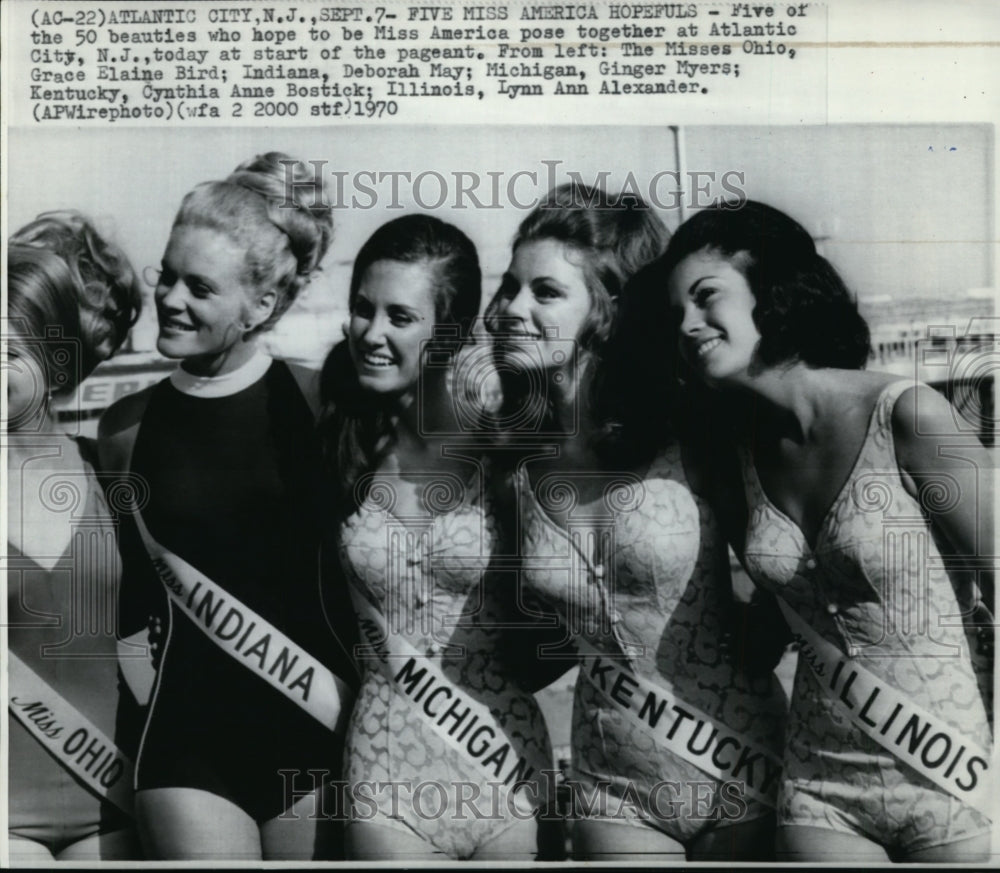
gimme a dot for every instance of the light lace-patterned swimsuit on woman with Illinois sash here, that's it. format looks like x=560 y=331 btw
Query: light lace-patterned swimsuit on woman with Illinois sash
x=874 y=569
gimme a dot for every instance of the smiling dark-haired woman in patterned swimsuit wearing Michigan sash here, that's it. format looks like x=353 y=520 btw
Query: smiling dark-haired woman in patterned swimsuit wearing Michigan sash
x=446 y=750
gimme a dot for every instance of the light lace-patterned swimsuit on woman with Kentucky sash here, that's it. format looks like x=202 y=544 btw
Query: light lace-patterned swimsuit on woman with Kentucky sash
x=655 y=598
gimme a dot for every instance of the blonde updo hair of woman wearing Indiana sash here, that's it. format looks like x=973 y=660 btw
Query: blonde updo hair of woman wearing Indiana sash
x=275 y=207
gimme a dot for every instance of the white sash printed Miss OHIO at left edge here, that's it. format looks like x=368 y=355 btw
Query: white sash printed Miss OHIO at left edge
x=69 y=736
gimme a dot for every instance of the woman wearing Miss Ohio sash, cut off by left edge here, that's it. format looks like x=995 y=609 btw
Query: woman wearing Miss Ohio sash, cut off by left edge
x=72 y=297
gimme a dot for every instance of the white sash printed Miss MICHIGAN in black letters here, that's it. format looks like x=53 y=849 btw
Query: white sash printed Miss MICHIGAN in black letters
x=475 y=734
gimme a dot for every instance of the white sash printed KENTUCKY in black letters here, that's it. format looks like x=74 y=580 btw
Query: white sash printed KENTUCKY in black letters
x=684 y=730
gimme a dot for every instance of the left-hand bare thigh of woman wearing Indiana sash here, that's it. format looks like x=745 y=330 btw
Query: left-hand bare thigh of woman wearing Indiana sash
x=193 y=825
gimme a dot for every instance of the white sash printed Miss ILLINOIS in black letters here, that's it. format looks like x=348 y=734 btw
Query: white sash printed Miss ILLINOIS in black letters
x=932 y=747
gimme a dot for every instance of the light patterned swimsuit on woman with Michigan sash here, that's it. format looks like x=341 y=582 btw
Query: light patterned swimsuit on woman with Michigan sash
x=426 y=579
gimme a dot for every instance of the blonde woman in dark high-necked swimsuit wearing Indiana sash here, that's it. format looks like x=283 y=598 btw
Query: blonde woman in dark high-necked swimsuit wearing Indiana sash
x=252 y=689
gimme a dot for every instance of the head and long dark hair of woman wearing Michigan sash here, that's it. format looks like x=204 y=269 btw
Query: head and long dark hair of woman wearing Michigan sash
x=414 y=293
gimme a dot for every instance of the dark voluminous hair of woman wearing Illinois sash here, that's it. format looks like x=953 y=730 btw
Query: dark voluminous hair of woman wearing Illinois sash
x=803 y=312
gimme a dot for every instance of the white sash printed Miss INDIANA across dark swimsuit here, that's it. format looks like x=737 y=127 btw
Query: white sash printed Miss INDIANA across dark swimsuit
x=250 y=639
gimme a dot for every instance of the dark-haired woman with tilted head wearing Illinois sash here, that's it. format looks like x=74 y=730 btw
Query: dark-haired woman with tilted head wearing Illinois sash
x=855 y=515
